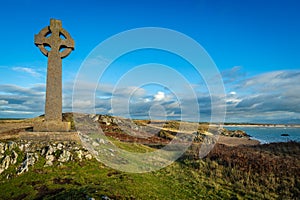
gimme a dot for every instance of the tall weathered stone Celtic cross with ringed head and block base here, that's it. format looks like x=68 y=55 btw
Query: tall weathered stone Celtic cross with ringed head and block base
x=55 y=43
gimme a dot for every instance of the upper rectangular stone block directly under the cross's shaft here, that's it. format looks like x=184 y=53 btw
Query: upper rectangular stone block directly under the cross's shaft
x=52 y=126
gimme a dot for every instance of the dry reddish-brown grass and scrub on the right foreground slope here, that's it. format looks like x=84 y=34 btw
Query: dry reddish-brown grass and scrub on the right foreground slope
x=270 y=169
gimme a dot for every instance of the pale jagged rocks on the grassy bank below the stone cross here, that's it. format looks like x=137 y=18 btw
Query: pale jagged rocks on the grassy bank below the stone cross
x=20 y=156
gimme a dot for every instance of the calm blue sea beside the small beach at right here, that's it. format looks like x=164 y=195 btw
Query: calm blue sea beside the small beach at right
x=270 y=134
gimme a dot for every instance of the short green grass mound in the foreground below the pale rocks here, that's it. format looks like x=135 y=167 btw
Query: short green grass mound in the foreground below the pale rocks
x=92 y=179
